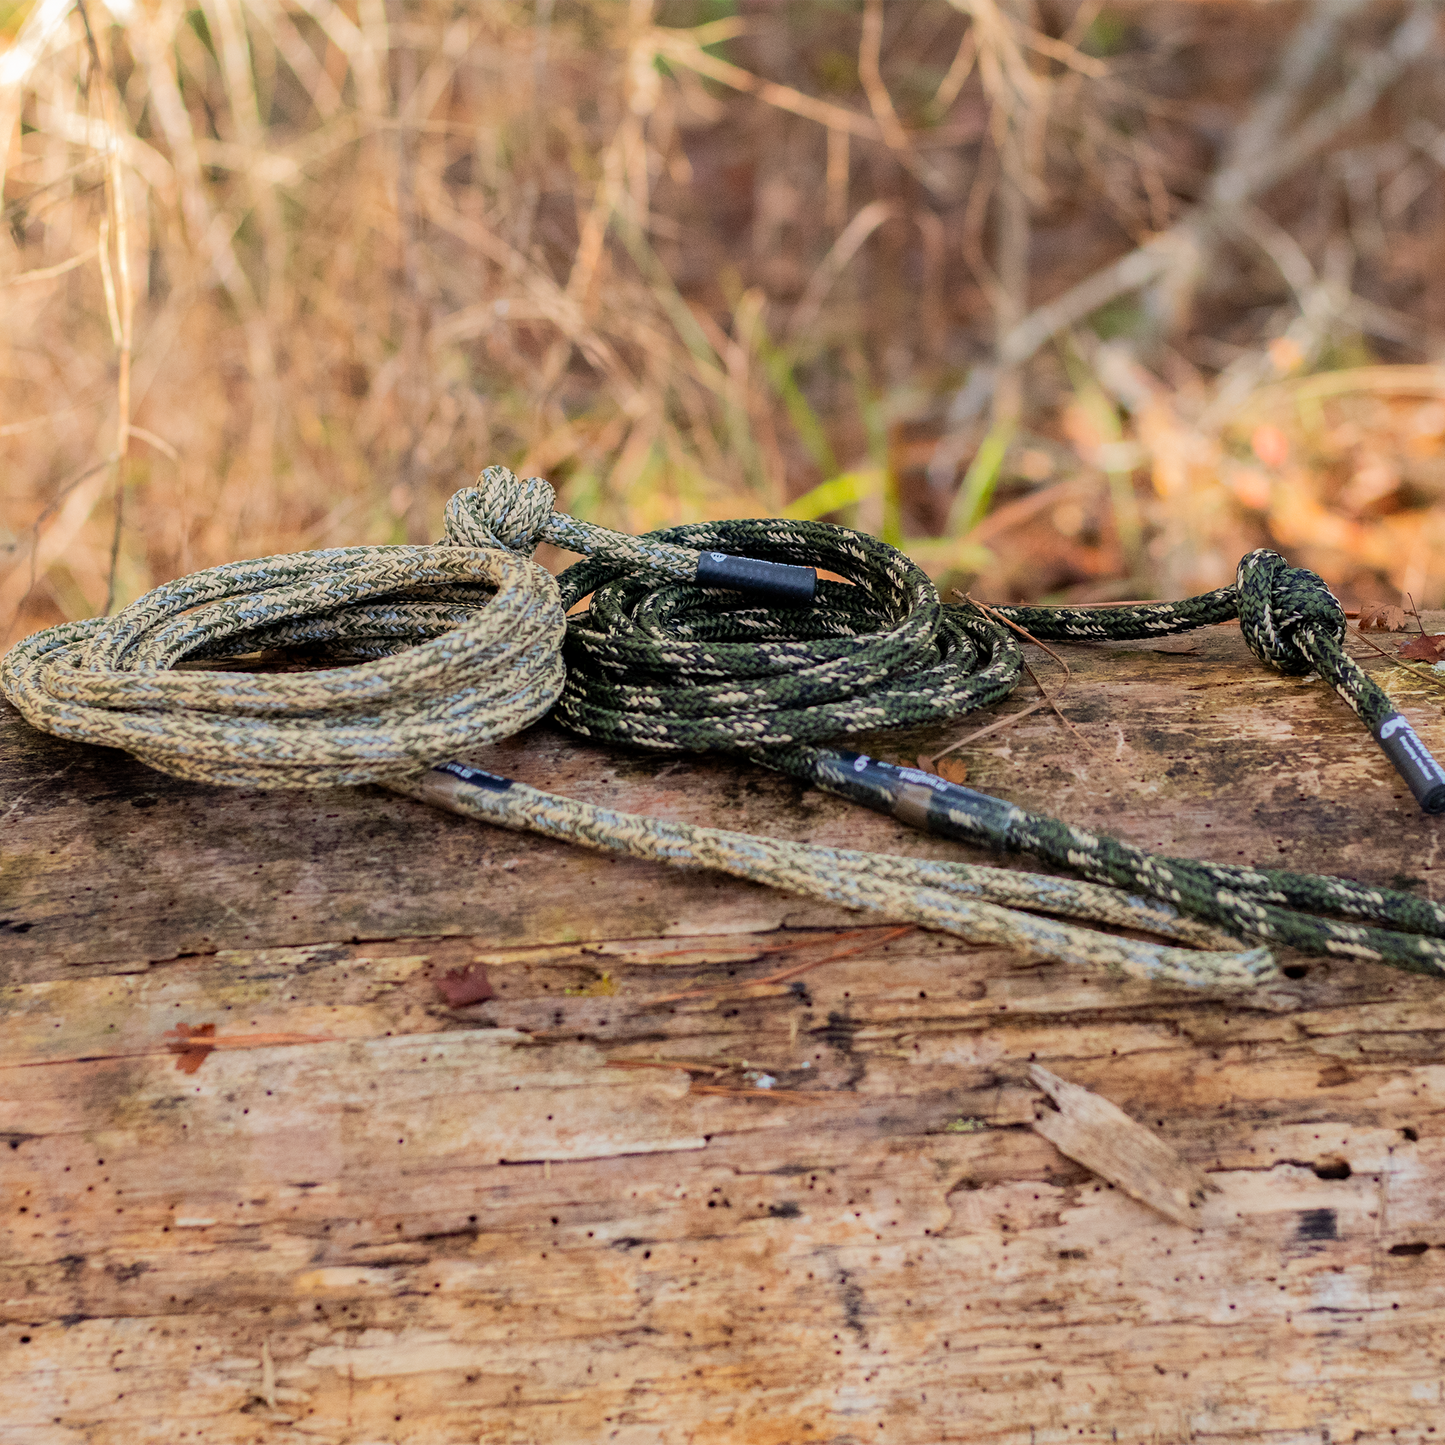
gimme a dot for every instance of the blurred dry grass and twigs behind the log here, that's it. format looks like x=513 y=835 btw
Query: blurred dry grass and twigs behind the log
x=1077 y=300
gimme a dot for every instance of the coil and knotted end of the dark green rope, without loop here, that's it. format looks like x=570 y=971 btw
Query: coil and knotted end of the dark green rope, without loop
x=696 y=670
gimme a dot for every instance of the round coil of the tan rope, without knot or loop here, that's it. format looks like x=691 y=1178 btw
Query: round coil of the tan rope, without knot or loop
x=466 y=648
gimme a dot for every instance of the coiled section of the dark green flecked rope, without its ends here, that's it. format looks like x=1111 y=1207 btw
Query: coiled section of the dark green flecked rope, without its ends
x=691 y=668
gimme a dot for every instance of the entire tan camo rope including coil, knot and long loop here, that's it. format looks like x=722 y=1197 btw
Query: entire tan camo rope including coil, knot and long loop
x=466 y=644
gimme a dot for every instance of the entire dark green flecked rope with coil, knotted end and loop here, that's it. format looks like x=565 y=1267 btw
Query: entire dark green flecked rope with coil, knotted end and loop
x=687 y=668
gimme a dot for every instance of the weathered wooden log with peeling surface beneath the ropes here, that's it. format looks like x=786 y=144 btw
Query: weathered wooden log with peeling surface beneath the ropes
x=638 y=1196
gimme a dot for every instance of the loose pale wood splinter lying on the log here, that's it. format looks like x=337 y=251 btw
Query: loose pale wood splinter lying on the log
x=1105 y=1139
